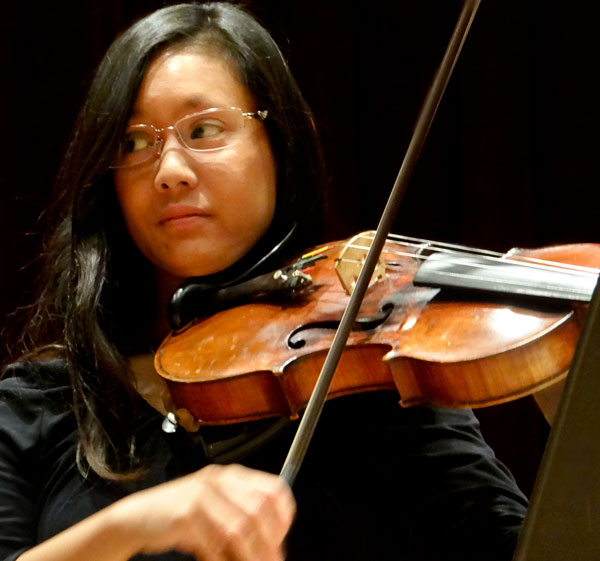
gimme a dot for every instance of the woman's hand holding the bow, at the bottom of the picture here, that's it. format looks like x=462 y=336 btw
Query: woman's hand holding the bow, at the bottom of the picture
x=218 y=513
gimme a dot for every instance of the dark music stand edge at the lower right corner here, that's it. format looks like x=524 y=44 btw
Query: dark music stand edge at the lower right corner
x=563 y=521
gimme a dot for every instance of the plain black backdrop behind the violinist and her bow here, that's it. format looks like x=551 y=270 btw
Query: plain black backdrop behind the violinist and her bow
x=510 y=159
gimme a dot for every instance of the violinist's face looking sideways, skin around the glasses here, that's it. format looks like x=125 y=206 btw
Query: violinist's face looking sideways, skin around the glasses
x=196 y=213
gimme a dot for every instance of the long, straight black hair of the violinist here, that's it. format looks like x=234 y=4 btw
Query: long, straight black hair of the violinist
x=96 y=286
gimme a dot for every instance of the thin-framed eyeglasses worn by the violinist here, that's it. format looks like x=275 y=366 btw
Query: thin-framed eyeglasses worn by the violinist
x=209 y=130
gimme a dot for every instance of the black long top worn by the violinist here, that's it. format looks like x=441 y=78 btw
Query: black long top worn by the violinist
x=378 y=482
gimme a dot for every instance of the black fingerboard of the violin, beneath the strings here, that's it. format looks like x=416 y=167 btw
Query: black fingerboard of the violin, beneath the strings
x=473 y=272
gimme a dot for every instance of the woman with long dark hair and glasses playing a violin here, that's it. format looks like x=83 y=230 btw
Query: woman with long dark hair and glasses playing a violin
x=195 y=155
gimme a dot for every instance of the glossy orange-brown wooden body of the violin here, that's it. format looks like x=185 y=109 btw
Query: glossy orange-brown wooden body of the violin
x=262 y=359
